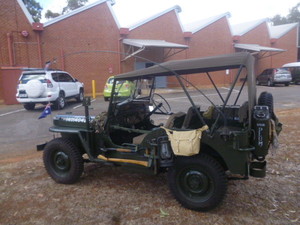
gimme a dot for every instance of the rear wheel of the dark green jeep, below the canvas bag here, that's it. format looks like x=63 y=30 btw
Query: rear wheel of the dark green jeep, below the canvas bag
x=198 y=183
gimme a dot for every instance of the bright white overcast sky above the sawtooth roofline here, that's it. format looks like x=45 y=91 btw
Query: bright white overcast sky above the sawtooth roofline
x=130 y=12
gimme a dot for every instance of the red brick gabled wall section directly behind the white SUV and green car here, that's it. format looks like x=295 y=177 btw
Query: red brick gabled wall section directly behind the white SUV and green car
x=80 y=45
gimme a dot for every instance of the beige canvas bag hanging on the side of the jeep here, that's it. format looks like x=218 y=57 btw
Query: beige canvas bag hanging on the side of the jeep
x=185 y=143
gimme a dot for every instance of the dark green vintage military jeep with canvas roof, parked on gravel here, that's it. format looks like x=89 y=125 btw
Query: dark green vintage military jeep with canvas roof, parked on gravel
x=200 y=146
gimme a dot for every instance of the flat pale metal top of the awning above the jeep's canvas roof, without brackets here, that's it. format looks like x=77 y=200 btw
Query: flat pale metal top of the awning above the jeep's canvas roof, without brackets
x=140 y=43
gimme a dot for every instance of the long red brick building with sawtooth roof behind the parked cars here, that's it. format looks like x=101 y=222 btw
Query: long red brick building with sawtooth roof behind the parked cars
x=90 y=44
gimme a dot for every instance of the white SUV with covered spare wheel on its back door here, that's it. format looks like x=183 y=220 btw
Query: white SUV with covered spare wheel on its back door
x=43 y=86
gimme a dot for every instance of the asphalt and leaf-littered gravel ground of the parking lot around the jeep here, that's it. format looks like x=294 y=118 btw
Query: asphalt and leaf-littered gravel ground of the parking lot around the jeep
x=109 y=195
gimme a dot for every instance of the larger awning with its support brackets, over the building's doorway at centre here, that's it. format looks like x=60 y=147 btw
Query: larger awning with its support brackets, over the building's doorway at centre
x=142 y=44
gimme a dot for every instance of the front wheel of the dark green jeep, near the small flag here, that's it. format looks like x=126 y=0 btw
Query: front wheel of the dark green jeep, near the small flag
x=63 y=161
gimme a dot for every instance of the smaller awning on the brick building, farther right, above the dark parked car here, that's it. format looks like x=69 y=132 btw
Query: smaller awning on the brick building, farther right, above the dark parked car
x=260 y=51
